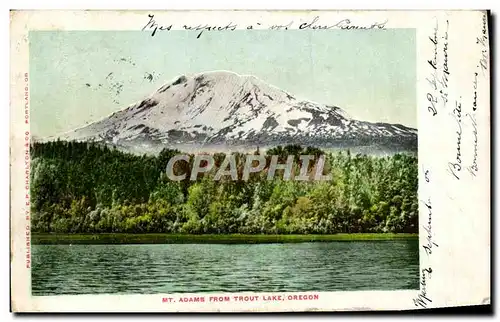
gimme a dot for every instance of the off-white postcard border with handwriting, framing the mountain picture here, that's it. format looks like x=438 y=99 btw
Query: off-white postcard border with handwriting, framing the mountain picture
x=460 y=263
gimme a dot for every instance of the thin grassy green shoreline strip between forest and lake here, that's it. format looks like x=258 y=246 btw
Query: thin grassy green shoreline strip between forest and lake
x=125 y=239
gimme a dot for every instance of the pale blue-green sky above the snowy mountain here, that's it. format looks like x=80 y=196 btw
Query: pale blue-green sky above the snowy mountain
x=82 y=76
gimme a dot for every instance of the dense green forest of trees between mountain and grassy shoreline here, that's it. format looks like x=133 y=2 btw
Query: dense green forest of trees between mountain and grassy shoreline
x=90 y=188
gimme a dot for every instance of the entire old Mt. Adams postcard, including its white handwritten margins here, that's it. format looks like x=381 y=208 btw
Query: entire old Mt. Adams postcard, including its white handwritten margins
x=249 y=161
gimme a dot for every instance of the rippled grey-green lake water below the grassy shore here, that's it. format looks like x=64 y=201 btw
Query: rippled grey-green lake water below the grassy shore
x=330 y=266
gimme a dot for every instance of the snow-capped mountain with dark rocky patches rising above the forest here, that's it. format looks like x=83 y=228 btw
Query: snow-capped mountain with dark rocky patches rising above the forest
x=226 y=109
